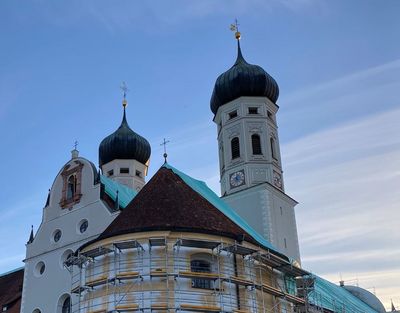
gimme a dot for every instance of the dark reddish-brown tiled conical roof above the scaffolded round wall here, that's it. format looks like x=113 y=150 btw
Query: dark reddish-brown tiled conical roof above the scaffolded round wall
x=167 y=203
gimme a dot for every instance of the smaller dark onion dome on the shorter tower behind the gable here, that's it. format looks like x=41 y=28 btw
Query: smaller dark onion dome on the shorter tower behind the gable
x=124 y=143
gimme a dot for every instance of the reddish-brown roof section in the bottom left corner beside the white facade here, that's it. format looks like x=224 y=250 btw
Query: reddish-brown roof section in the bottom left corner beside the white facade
x=11 y=291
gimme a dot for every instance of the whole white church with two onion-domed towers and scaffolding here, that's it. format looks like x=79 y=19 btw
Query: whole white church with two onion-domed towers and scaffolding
x=110 y=242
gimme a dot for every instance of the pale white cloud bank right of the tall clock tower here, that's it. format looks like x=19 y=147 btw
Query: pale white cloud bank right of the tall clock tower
x=347 y=181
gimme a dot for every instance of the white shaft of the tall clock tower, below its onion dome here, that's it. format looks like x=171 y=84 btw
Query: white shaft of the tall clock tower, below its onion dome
x=251 y=179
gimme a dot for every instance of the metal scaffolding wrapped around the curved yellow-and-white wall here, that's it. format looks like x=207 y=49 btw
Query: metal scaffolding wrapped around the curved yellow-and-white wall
x=157 y=274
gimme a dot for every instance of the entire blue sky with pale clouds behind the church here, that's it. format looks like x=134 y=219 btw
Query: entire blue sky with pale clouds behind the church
x=337 y=64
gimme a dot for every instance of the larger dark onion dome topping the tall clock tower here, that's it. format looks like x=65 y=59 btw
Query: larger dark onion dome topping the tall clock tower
x=243 y=79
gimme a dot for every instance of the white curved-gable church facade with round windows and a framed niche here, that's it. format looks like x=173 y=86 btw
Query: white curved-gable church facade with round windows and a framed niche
x=66 y=225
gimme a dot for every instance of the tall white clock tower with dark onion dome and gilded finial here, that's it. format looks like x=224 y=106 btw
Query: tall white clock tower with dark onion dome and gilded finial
x=244 y=104
